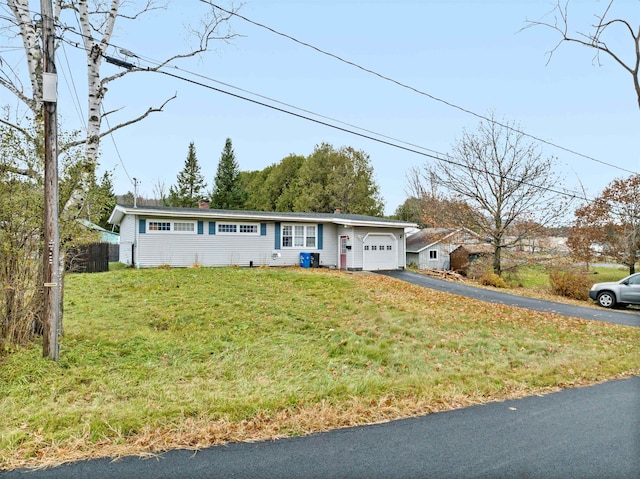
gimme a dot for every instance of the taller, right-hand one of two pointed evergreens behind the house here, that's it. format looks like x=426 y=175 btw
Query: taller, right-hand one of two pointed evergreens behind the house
x=228 y=192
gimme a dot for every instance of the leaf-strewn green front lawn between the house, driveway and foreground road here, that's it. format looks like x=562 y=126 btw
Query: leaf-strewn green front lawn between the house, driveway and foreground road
x=165 y=358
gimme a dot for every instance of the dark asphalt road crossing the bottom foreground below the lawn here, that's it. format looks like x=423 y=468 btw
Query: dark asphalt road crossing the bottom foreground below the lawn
x=577 y=433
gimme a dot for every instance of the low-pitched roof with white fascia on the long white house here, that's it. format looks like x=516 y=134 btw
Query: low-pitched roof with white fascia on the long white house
x=120 y=211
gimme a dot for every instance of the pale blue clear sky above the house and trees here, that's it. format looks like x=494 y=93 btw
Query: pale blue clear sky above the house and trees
x=470 y=54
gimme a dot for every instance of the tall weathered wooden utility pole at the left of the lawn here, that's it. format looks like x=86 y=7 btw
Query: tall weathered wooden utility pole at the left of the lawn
x=51 y=256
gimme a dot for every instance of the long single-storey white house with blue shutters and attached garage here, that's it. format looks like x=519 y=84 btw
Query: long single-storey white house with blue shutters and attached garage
x=182 y=237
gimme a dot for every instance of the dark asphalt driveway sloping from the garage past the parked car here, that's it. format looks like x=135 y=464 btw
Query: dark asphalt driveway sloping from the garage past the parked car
x=629 y=318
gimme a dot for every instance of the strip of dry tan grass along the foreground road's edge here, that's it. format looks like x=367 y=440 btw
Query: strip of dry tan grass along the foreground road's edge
x=194 y=434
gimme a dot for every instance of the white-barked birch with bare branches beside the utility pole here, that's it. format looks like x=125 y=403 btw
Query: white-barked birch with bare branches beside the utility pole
x=97 y=20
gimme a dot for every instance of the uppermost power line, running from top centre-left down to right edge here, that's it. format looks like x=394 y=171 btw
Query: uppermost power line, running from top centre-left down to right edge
x=411 y=88
